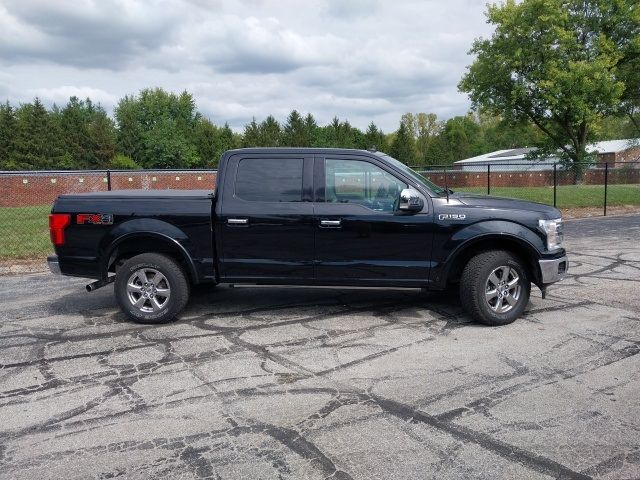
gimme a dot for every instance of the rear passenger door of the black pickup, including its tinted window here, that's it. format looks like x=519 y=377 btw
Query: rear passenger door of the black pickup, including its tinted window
x=266 y=221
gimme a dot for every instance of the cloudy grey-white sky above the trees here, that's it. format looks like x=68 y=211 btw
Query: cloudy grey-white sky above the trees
x=359 y=59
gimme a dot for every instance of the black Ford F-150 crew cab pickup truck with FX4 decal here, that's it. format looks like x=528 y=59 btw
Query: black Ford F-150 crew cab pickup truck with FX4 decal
x=305 y=216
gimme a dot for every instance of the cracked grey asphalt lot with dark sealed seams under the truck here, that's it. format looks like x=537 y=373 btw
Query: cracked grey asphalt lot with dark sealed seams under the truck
x=347 y=384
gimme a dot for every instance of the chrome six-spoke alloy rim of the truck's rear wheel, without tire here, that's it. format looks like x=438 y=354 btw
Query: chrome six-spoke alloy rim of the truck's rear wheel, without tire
x=148 y=290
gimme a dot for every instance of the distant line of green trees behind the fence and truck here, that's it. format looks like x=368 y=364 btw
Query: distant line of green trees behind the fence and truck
x=159 y=129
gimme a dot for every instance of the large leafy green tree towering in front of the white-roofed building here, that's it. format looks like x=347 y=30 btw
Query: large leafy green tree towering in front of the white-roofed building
x=554 y=63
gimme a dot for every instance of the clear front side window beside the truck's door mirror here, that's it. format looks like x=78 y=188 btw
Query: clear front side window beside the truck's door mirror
x=356 y=181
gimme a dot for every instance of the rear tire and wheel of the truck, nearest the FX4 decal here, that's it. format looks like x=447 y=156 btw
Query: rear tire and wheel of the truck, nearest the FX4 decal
x=170 y=280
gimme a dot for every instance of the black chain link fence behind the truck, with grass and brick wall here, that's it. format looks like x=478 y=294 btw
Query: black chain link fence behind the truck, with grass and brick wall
x=584 y=190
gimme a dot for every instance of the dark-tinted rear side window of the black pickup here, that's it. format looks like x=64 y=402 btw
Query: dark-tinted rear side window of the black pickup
x=269 y=180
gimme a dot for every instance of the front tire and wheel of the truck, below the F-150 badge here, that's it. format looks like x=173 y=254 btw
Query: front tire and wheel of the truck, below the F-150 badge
x=484 y=302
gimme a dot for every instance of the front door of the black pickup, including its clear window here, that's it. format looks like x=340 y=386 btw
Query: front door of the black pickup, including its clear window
x=360 y=238
